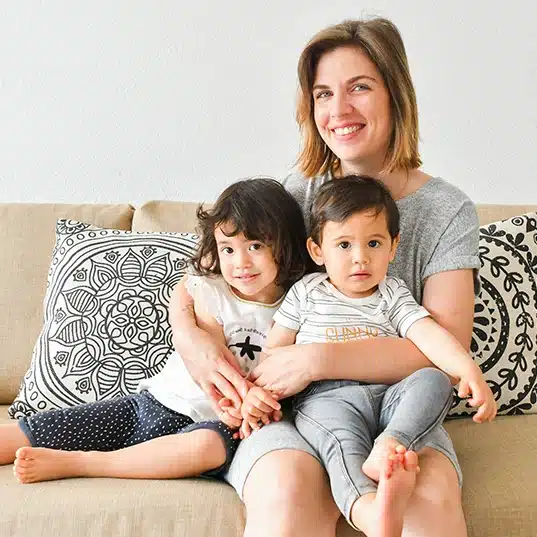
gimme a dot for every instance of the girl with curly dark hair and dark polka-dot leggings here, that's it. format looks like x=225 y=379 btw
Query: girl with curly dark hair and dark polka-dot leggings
x=246 y=261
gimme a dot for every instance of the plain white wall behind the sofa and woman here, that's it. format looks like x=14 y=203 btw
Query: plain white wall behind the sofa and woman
x=130 y=100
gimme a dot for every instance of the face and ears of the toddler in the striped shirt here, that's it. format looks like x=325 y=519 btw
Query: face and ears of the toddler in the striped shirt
x=356 y=253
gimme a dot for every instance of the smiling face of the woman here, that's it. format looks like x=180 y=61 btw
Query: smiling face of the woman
x=352 y=109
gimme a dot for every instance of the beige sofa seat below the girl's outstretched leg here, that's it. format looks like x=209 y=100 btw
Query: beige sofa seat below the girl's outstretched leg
x=120 y=507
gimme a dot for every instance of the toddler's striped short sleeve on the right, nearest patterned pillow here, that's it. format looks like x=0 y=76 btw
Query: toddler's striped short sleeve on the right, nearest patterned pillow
x=403 y=310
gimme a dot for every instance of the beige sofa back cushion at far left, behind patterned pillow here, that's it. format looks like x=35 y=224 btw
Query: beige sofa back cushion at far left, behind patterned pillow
x=26 y=241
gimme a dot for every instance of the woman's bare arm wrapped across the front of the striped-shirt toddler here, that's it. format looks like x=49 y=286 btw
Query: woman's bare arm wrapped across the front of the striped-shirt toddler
x=448 y=296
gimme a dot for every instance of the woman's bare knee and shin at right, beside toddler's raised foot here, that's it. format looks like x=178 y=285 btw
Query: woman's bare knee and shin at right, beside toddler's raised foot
x=435 y=507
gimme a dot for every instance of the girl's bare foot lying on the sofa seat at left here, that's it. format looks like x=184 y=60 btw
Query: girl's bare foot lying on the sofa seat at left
x=41 y=464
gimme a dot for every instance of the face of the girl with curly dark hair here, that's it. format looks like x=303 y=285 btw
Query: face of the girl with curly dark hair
x=248 y=267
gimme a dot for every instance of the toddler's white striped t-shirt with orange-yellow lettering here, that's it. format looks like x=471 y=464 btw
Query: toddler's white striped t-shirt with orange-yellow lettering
x=320 y=313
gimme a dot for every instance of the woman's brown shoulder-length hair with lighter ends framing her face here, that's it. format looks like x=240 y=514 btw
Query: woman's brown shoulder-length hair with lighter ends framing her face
x=380 y=39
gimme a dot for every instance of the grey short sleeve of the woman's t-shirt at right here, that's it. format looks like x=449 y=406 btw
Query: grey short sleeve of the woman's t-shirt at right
x=457 y=247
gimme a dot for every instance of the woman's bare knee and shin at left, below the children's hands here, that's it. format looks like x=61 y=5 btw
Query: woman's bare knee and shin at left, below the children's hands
x=287 y=494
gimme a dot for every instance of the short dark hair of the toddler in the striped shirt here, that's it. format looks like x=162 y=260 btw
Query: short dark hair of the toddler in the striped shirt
x=339 y=199
